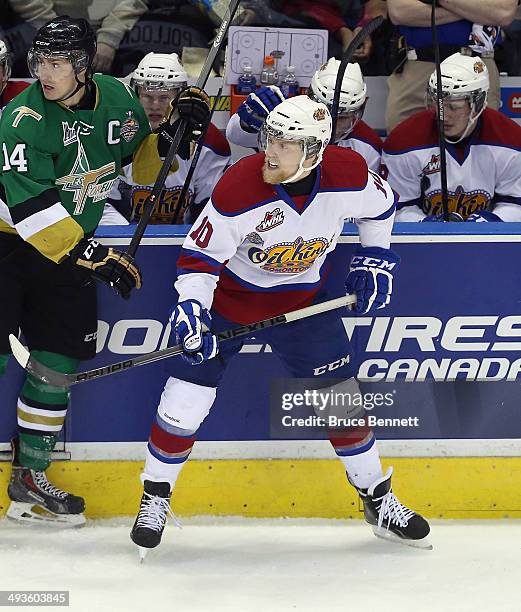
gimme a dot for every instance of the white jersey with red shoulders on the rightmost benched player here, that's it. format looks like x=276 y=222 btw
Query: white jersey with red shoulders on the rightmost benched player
x=482 y=173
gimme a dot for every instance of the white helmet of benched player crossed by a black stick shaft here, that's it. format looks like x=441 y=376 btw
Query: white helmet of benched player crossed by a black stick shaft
x=353 y=92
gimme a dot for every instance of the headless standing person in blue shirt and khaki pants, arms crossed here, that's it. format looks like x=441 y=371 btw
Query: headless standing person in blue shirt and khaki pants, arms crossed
x=458 y=30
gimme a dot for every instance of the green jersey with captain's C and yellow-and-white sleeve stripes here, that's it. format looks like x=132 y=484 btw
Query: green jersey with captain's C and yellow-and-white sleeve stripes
x=59 y=165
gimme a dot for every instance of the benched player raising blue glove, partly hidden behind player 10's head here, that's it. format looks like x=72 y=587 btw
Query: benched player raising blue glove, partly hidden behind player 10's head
x=351 y=131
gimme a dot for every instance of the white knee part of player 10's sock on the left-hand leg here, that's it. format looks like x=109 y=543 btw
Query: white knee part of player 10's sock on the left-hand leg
x=185 y=405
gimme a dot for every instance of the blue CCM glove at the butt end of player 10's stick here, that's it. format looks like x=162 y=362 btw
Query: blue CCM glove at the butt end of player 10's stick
x=371 y=277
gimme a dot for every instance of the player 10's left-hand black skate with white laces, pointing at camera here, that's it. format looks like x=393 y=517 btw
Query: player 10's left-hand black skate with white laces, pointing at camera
x=151 y=518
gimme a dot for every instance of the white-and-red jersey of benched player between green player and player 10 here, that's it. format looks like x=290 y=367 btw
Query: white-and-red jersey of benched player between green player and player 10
x=138 y=178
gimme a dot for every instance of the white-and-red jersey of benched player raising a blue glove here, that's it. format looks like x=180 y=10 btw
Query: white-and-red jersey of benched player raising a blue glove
x=363 y=139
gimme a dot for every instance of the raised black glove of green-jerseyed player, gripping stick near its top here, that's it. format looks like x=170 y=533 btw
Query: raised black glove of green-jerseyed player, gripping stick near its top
x=193 y=105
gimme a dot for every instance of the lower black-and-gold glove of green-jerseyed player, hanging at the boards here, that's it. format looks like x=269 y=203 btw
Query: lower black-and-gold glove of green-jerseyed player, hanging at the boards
x=107 y=265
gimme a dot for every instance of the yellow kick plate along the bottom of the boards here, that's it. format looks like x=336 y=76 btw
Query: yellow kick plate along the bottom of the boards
x=448 y=487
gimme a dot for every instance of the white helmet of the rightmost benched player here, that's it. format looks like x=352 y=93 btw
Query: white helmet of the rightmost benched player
x=462 y=77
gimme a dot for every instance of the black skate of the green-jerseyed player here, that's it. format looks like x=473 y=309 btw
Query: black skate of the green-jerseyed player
x=35 y=500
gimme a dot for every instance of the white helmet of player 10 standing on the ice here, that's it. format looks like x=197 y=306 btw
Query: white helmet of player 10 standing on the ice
x=303 y=120
